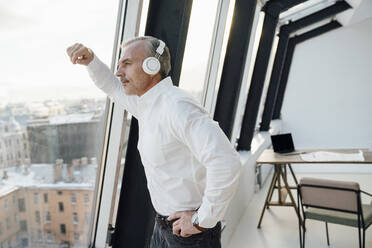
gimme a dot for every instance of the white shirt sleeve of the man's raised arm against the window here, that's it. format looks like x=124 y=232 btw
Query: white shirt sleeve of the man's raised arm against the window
x=104 y=79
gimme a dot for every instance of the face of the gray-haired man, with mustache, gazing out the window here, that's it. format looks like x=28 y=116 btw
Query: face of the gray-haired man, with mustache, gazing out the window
x=134 y=80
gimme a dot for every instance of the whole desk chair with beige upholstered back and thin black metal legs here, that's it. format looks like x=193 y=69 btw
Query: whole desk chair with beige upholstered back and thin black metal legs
x=331 y=201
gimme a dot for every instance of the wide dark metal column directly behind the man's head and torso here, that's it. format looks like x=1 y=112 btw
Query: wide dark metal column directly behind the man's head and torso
x=167 y=20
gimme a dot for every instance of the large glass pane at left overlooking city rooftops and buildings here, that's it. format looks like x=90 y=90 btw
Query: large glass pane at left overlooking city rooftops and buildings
x=51 y=120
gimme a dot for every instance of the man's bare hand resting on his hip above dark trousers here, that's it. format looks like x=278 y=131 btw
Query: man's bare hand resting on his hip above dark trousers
x=183 y=226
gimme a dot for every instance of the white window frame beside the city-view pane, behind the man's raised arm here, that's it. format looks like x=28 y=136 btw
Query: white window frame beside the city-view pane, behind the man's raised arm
x=127 y=26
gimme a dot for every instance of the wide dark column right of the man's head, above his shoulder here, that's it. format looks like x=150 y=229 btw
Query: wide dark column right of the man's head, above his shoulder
x=234 y=63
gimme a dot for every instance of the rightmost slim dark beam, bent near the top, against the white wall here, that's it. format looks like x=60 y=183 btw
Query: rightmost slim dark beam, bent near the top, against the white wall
x=288 y=61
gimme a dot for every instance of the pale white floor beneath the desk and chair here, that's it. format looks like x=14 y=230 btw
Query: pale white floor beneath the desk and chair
x=279 y=227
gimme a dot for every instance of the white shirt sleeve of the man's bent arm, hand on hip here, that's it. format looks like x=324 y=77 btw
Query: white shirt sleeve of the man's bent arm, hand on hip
x=211 y=147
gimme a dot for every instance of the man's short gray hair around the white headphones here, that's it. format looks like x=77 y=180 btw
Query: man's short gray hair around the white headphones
x=152 y=44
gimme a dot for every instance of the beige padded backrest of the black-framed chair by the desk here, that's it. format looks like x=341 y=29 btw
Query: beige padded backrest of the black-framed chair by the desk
x=340 y=195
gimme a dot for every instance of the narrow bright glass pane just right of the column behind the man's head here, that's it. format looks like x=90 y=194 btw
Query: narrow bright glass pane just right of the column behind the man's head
x=198 y=45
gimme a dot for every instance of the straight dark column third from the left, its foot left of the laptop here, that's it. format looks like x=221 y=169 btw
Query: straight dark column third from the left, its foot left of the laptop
x=272 y=12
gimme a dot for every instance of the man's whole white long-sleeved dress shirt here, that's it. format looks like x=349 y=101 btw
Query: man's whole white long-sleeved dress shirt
x=188 y=160
